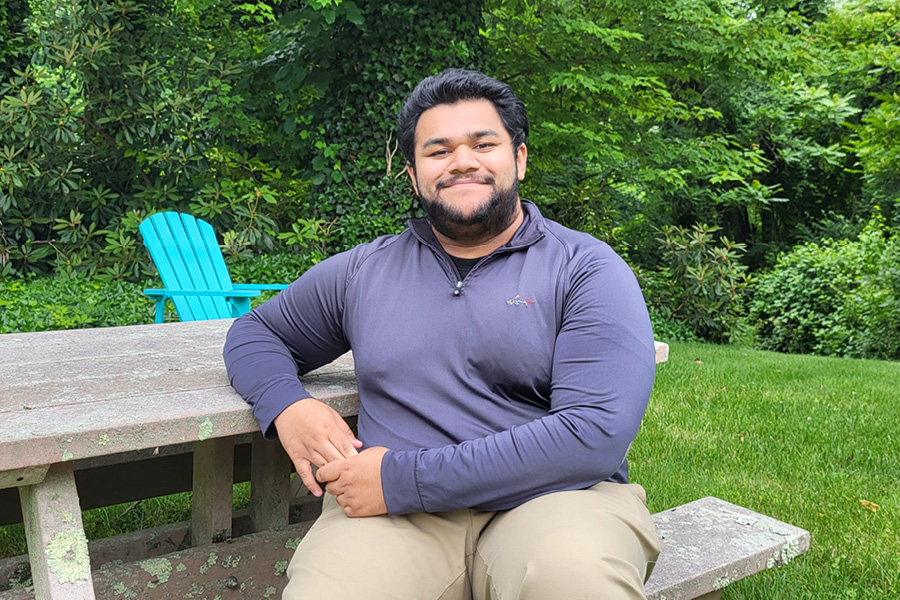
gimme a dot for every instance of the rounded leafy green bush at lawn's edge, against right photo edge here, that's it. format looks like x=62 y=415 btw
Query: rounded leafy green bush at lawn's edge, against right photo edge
x=838 y=298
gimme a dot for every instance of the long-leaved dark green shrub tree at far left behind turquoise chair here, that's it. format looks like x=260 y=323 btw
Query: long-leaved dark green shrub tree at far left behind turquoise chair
x=124 y=110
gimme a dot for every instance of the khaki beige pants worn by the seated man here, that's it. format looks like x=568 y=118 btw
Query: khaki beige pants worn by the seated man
x=598 y=543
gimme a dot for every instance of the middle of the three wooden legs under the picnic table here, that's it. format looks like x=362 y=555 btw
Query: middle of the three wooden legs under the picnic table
x=213 y=491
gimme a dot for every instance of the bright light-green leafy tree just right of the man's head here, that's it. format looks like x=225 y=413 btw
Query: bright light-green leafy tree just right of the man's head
x=638 y=98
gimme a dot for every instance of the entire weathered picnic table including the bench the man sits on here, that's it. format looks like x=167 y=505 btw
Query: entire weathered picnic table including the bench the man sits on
x=77 y=401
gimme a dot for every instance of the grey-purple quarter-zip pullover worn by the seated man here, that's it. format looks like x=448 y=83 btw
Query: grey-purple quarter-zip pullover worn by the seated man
x=529 y=376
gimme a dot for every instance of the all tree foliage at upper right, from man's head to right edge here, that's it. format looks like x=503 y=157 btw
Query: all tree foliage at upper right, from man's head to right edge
x=742 y=116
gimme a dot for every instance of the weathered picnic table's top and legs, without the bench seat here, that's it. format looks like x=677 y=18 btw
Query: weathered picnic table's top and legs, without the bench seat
x=70 y=396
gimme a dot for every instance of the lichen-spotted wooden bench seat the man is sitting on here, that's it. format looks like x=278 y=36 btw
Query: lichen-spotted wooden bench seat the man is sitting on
x=708 y=544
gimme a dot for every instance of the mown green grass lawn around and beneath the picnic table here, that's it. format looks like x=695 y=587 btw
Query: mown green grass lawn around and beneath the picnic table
x=812 y=441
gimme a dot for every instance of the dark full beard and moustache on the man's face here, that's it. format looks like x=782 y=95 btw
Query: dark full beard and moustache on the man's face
x=491 y=218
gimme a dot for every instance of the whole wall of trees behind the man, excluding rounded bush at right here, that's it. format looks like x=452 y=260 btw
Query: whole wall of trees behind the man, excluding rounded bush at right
x=771 y=122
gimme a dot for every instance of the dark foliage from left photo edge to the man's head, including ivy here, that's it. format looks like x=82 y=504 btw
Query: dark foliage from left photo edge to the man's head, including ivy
x=219 y=109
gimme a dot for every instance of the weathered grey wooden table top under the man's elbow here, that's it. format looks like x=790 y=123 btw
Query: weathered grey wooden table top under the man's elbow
x=66 y=395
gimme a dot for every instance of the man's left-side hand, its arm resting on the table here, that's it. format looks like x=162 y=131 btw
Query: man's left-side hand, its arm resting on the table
x=313 y=433
